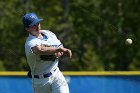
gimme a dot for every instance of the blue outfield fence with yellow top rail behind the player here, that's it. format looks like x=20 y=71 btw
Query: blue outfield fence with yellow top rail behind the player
x=79 y=82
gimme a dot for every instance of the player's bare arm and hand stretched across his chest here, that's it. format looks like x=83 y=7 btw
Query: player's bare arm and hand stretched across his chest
x=43 y=50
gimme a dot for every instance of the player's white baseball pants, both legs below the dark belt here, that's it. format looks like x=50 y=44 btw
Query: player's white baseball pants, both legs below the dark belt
x=56 y=83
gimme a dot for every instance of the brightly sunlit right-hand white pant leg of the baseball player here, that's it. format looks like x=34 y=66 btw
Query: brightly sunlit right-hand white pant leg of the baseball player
x=59 y=84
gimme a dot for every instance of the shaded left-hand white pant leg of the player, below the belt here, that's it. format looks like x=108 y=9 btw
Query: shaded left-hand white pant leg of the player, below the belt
x=42 y=85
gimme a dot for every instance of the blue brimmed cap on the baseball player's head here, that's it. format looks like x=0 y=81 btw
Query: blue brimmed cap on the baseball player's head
x=30 y=19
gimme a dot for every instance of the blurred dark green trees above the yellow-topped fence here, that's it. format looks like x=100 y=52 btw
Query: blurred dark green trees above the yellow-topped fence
x=95 y=31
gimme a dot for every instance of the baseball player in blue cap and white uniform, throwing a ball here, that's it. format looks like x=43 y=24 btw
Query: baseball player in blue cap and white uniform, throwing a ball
x=43 y=51
